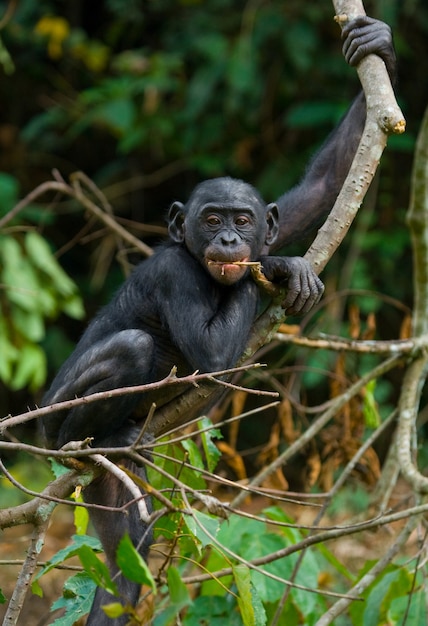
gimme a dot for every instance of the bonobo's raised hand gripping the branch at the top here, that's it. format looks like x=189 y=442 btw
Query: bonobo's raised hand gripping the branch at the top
x=364 y=36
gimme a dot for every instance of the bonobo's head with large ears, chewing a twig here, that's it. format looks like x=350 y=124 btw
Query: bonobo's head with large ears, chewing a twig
x=225 y=221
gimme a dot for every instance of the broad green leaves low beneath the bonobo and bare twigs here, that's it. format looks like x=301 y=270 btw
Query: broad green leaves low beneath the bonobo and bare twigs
x=249 y=594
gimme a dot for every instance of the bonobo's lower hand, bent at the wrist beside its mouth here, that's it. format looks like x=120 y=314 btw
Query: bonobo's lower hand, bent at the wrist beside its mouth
x=304 y=288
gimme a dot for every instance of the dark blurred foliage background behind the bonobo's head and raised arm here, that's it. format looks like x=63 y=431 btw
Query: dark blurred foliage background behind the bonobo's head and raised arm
x=148 y=98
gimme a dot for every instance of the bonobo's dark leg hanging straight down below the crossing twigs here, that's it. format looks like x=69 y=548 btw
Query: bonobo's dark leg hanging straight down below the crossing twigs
x=112 y=525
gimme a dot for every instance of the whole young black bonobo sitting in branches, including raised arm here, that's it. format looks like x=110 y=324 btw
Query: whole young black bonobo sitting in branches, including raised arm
x=192 y=305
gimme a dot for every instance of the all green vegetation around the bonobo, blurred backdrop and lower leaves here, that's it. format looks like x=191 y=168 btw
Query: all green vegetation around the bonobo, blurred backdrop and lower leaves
x=147 y=99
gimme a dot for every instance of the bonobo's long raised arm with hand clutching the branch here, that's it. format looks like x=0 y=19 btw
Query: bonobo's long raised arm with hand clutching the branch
x=306 y=205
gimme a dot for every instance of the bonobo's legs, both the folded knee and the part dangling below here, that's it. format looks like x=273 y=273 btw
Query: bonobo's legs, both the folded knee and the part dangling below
x=120 y=360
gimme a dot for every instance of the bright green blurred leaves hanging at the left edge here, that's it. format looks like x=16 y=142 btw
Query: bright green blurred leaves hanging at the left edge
x=34 y=287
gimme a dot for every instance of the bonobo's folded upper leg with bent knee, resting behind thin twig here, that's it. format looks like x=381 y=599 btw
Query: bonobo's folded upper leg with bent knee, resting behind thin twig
x=121 y=360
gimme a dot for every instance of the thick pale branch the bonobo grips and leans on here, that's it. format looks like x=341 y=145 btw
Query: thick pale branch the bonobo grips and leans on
x=383 y=116
